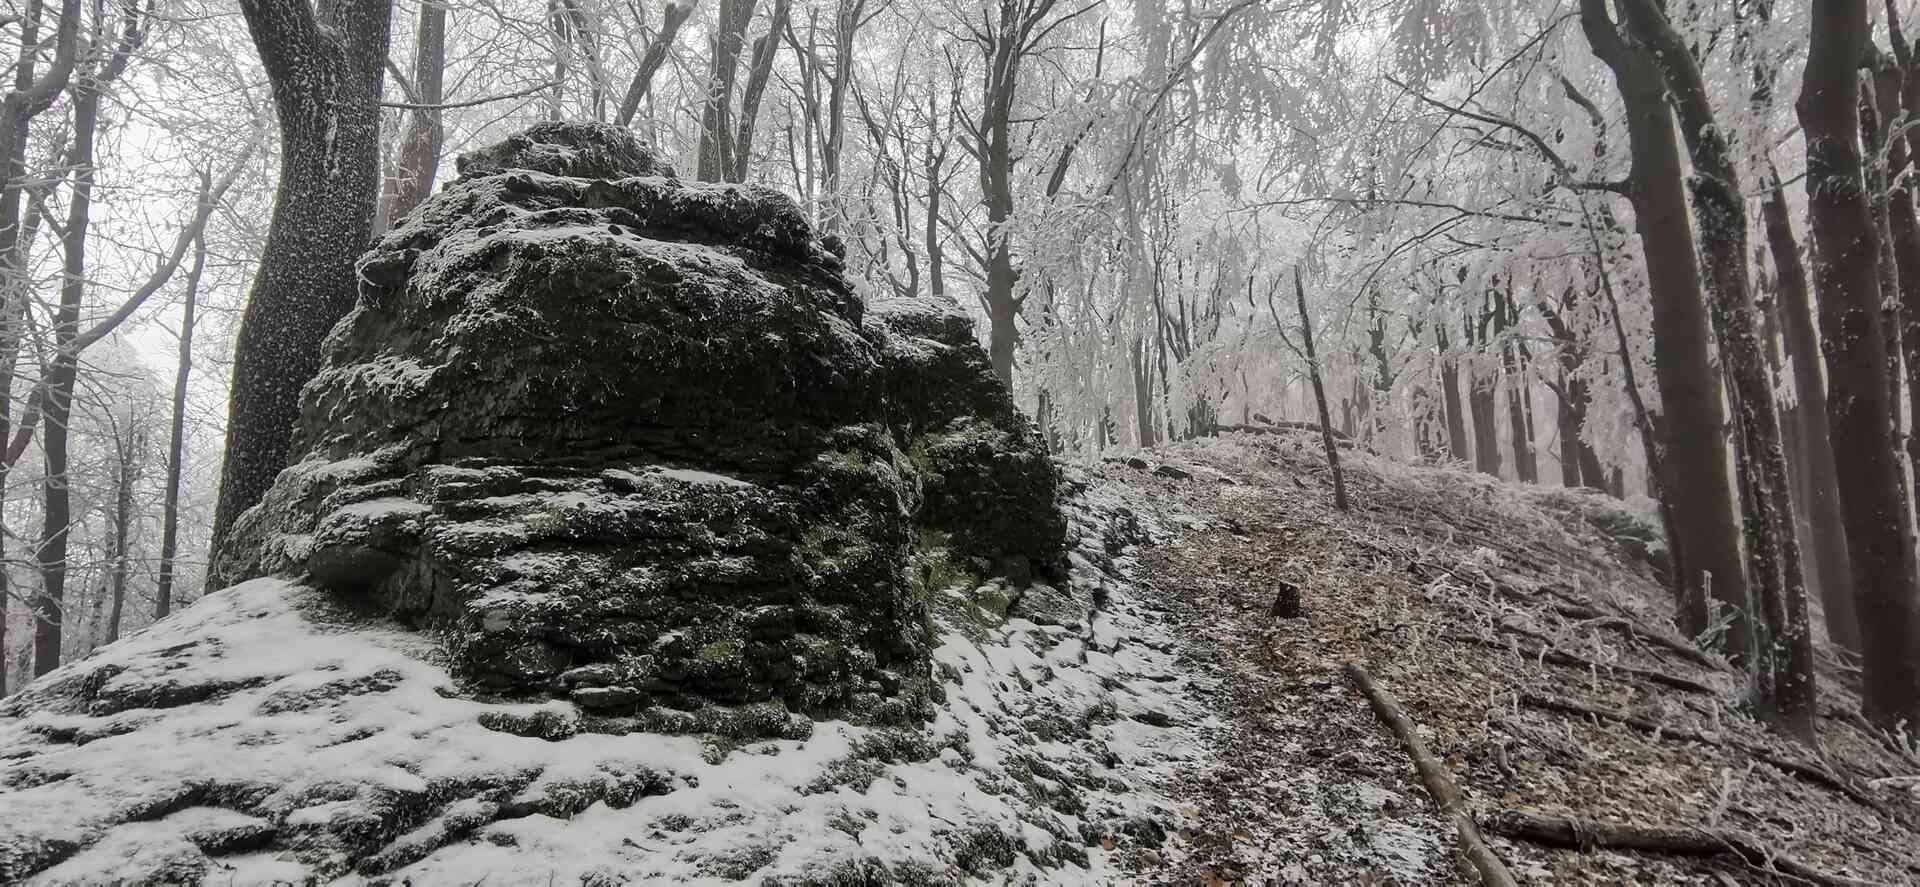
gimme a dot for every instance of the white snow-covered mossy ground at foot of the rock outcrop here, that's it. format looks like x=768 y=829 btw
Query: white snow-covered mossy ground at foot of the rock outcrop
x=272 y=734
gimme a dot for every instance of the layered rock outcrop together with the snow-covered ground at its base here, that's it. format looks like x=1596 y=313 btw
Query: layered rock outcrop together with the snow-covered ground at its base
x=625 y=542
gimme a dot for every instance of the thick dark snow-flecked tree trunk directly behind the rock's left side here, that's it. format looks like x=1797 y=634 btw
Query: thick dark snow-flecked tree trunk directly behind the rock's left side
x=327 y=97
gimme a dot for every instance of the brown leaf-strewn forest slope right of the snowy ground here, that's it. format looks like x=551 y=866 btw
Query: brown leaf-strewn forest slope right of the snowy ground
x=1495 y=613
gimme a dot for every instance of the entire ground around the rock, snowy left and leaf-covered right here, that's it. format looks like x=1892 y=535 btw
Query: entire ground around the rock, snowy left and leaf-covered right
x=1182 y=734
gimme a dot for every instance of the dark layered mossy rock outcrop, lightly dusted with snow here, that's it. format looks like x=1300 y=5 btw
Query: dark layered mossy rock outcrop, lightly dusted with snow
x=636 y=443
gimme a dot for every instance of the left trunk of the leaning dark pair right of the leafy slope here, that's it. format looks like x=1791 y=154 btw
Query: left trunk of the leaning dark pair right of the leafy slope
x=1694 y=458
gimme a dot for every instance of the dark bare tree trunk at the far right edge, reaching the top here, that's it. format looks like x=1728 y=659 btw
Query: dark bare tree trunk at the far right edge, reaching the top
x=1860 y=412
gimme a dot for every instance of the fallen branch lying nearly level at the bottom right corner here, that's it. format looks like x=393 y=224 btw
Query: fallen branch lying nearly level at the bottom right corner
x=1671 y=840
